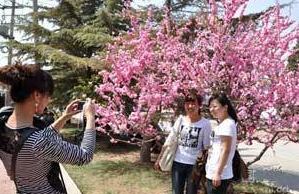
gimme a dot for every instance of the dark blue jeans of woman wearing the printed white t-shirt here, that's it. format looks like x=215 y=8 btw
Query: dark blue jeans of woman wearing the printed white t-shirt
x=179 y=176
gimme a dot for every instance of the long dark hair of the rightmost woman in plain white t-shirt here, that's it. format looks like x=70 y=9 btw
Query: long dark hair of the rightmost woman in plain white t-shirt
x=223 y=100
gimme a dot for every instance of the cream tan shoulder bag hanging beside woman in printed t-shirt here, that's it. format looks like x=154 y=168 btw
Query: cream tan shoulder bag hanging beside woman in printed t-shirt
x=167 y=158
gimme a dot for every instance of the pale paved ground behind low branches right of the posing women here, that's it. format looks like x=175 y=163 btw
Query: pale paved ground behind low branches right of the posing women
x=279 y=167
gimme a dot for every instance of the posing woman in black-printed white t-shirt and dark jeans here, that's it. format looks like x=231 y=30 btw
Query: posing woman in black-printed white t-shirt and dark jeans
x=194 y=135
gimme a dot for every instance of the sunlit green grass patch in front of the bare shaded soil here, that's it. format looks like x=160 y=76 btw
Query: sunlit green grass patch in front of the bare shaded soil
x=117 y=177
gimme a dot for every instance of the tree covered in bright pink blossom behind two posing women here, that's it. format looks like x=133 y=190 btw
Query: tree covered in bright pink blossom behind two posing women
x=154 y=64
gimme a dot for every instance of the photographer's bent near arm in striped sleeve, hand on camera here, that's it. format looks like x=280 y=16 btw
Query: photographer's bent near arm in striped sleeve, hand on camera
x=50 y=146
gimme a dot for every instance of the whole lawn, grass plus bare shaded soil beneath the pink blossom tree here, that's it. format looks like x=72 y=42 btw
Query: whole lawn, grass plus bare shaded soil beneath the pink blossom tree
x=116 y=170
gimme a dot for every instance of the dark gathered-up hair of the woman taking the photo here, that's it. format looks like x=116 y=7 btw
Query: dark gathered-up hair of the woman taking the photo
x=25 y=79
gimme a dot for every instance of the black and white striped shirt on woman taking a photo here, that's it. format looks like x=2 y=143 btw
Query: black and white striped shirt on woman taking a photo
x=41 y=148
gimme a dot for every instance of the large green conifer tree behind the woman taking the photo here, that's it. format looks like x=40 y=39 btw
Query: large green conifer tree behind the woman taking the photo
x=75 y=44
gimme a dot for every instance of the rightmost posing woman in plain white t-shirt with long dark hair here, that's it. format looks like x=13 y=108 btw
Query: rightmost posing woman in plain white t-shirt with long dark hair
x=219 y=170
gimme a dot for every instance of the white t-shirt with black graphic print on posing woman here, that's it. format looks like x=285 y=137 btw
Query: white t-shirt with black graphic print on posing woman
x=192 y=137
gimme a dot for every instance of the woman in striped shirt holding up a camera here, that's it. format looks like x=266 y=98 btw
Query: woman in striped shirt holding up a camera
x=33 y=165
